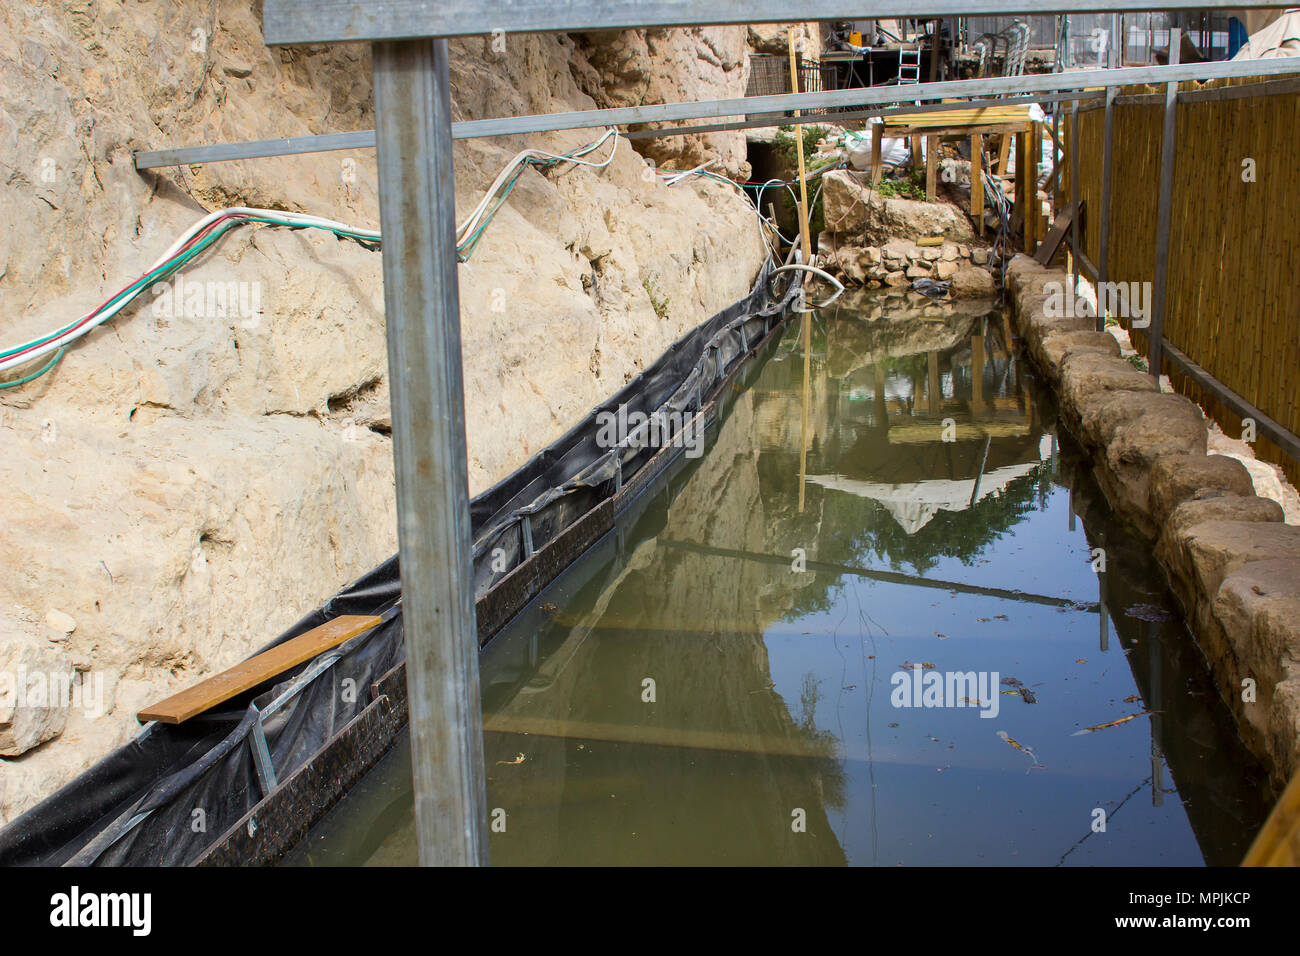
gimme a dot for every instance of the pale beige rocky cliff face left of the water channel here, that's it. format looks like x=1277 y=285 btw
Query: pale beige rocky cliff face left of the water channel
x=187 y=485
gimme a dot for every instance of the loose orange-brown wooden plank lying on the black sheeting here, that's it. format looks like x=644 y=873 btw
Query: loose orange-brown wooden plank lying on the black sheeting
x=257 y=671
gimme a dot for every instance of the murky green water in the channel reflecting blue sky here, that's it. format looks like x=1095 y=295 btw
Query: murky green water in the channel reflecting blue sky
x=727 y=678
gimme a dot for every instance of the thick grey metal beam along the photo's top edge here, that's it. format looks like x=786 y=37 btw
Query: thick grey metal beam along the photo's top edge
x=330 y=21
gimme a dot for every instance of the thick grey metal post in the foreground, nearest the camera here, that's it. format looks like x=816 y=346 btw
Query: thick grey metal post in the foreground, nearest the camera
x=413 y=113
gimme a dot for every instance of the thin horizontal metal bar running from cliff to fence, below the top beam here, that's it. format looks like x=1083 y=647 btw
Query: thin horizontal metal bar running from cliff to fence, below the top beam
x=1026 y=89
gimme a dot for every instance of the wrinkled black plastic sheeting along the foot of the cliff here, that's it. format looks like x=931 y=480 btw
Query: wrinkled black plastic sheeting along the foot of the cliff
x=170 y=794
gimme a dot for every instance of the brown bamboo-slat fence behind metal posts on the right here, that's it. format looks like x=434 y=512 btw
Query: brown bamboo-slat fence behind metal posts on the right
x=1232 y=297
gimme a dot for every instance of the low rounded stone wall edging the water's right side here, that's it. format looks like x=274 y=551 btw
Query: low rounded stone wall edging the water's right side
x=1232 y=561
